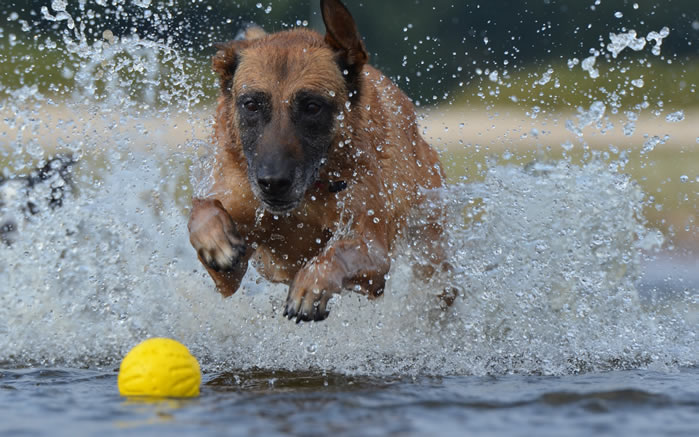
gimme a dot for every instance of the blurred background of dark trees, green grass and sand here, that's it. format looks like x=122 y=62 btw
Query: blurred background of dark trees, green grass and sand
x=496 y=81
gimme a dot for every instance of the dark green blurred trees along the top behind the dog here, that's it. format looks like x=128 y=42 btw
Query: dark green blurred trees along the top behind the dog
x=429 y=47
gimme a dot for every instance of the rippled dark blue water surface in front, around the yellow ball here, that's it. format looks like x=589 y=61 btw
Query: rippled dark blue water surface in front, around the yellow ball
x=296 y=403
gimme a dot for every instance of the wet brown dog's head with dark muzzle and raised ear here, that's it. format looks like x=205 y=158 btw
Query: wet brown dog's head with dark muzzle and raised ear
x=284 y=93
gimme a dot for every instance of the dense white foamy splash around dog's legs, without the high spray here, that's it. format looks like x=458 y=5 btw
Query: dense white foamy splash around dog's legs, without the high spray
x=547 y=273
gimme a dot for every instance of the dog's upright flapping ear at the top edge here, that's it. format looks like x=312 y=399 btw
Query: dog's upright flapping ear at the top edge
x=342 y=34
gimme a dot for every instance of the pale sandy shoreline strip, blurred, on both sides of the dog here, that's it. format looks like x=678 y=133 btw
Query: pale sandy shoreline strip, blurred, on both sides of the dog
x=443 y=127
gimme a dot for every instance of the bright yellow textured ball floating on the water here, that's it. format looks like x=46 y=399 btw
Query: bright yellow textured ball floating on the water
x=159 y=367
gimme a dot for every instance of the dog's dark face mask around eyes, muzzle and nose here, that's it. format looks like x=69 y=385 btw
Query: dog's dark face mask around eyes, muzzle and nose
x=285 y=142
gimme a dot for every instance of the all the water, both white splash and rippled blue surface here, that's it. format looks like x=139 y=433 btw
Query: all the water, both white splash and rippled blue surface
x=567 y=317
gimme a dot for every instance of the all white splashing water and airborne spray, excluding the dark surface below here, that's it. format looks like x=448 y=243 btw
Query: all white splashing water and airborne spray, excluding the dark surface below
x=547 y=266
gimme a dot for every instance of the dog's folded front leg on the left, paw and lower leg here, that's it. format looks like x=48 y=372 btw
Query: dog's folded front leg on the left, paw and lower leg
x=220 y=248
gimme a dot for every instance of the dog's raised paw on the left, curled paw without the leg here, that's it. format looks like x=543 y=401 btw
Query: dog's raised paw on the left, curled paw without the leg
x=214 y=236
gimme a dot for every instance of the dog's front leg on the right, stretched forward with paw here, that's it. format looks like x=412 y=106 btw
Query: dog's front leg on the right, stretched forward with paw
x=358 y=264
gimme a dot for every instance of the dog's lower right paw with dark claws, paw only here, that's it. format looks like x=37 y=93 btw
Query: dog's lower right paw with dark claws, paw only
x=308 y=296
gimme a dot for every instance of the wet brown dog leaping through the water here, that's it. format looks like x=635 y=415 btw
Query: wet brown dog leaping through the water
x=318 y=162
